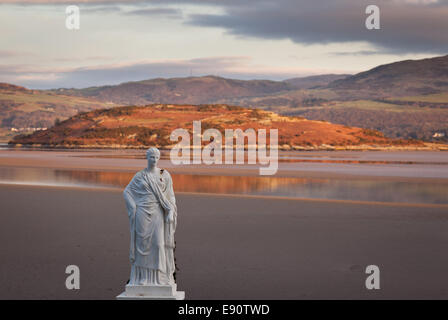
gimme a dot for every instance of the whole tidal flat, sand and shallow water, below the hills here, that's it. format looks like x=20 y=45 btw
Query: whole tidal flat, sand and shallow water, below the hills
x=236 y=238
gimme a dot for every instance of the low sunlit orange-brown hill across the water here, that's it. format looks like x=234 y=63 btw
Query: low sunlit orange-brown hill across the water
x=144 y=126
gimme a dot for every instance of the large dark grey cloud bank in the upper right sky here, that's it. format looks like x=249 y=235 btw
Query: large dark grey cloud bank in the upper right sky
x=405 y=27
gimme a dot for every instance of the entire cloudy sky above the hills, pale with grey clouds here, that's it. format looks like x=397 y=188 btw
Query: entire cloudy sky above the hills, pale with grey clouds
x=130 y=40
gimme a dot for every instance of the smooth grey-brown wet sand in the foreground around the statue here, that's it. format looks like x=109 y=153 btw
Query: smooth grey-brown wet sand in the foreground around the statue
x=228 y=247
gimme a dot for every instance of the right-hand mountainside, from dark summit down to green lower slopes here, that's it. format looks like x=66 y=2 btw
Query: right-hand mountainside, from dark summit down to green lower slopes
x=406 y=99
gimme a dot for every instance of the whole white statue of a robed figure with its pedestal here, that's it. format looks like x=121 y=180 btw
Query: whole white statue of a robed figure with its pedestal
x=152 y=212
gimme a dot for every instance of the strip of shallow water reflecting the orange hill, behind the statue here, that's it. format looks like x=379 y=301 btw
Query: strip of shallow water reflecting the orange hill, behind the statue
x=343 y=189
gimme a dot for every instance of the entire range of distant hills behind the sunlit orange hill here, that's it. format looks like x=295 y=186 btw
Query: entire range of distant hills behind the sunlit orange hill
x=406 y=99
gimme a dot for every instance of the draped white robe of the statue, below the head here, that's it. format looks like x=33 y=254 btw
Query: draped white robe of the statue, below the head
x=149 y=197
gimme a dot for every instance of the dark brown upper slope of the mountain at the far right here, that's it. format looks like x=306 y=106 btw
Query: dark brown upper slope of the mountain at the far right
x=409 y=77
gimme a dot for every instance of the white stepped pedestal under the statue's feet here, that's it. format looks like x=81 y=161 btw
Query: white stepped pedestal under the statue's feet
x=151 y=292
